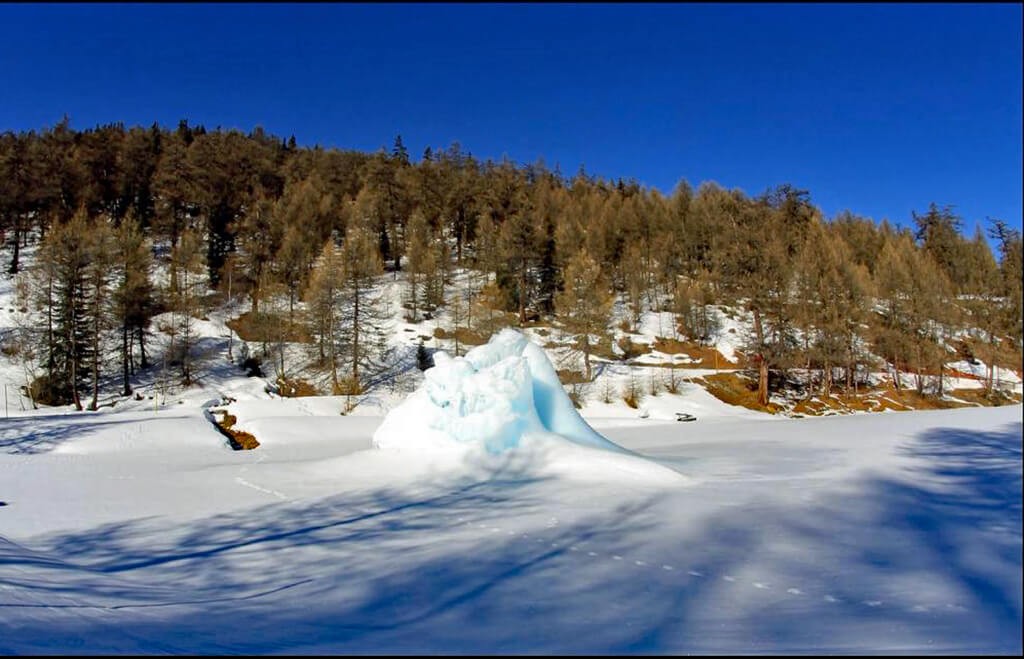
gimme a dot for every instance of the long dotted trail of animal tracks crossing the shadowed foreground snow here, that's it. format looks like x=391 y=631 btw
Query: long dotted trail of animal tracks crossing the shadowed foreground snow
x=793 y=591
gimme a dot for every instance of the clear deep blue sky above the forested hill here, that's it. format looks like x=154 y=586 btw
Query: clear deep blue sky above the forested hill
x=878 y=109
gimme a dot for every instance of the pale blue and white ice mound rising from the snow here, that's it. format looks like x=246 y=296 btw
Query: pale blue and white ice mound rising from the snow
x=497 y=396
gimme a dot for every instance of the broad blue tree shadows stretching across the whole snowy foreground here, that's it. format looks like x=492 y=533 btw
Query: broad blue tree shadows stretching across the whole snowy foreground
x=928 y=562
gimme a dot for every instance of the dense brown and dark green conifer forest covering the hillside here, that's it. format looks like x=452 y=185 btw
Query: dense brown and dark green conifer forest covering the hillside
x=131 y=224
